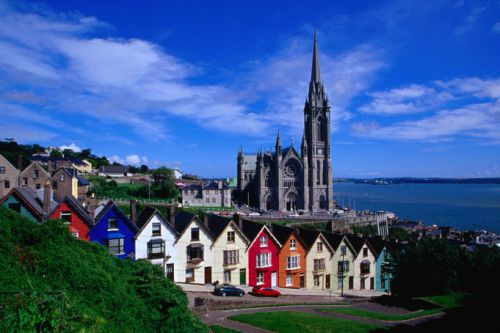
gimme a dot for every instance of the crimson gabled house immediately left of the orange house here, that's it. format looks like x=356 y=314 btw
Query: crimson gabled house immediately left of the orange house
x=263 y=255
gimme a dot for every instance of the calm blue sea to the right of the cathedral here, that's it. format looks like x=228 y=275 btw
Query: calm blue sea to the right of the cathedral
x=463 y=206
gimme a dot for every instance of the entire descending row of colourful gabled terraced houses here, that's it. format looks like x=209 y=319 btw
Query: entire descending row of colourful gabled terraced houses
x=203 y=250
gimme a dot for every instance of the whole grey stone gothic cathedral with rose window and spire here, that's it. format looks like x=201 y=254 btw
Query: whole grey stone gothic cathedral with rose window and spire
x=286 y=180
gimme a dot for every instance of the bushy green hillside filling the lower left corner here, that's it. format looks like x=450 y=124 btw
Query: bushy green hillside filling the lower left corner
x=100 y=292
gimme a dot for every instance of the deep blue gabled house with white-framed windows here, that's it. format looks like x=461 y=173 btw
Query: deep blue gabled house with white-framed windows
x=114 y=230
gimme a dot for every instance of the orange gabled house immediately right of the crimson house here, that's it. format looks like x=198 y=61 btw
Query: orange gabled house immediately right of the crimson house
x=292 y=257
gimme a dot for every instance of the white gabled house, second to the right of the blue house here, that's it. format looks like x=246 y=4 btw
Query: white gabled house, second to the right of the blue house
x=194 y=257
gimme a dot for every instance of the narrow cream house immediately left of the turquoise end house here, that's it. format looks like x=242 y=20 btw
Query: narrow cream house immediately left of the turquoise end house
x=364 y=264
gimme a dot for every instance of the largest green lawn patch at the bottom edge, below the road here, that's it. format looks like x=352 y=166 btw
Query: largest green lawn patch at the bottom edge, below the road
x=299 y=322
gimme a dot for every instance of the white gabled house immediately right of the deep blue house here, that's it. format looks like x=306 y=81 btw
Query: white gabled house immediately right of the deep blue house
x=155 y=240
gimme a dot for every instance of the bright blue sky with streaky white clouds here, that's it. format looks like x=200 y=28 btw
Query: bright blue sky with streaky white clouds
x=414 y=85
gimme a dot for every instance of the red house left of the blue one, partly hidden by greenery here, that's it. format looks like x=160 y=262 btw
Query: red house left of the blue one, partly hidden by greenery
x=77 y=218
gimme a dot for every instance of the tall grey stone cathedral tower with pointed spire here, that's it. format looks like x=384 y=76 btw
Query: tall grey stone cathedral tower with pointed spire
x=317 y=139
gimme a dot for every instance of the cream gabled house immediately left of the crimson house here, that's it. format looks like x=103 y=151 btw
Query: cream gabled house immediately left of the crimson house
x=229 y=251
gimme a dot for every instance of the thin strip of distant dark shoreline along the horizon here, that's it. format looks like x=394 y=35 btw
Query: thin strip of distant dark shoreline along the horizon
x=411 y=180
